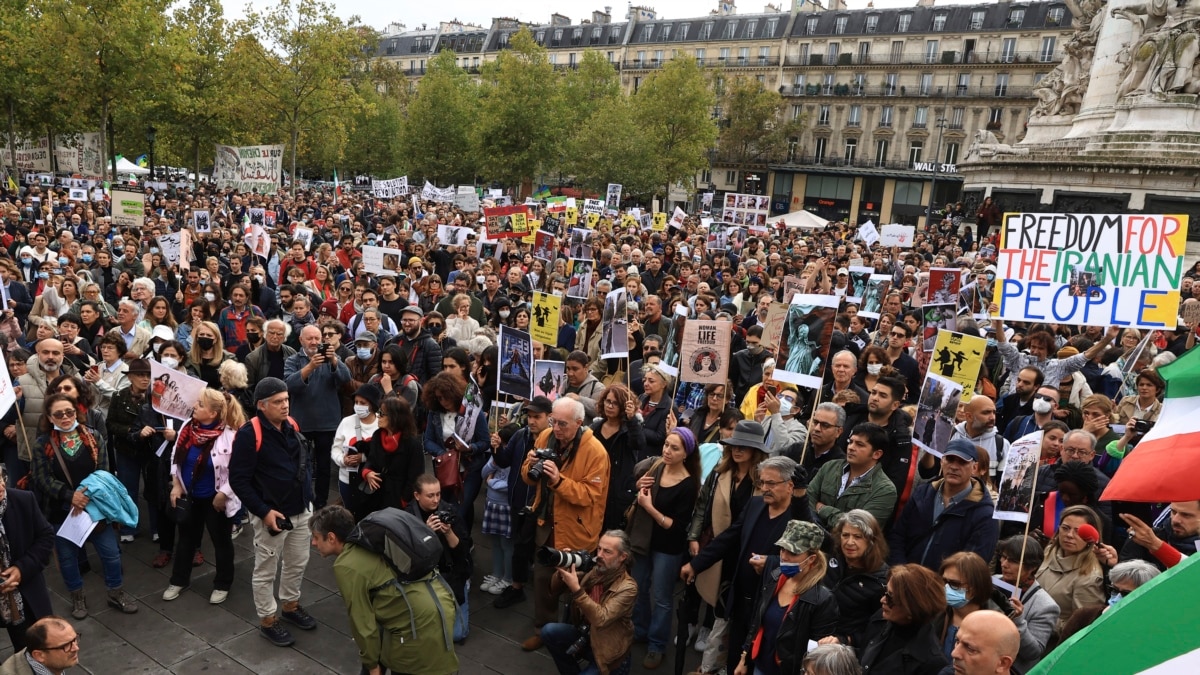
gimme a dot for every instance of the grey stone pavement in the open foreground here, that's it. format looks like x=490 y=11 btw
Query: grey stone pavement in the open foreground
x=189 y=636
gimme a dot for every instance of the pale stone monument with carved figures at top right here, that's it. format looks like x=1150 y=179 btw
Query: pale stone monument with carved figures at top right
x=1117 y=128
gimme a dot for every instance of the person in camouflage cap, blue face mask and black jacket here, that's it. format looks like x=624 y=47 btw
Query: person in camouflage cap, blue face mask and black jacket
x=794 y=608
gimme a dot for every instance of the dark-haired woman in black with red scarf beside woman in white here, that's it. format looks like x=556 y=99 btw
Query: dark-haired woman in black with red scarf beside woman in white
x=392 y=459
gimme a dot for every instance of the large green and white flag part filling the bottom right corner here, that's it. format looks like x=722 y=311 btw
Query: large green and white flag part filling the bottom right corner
x=1153 y=631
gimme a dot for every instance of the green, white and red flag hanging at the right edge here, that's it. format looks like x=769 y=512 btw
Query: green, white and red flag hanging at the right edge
x=1165 y=465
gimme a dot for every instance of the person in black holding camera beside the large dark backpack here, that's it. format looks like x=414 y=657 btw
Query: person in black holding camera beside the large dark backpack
x=457 y=565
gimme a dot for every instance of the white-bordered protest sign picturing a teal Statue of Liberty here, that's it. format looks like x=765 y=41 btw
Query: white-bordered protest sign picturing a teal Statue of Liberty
x=805 y=344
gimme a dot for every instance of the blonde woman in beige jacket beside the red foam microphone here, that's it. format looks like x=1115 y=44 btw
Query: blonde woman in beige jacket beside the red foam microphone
x=1071 y=572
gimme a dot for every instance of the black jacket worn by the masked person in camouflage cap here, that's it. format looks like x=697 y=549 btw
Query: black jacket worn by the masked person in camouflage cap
x=814 y=616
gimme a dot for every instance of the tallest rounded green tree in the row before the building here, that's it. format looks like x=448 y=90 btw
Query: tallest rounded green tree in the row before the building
x=519 y=127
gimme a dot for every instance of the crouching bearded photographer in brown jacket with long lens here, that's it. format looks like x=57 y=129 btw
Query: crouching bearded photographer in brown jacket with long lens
x=602 y=629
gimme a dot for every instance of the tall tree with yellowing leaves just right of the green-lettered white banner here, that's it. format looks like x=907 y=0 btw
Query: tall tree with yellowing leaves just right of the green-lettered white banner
x=303 y=57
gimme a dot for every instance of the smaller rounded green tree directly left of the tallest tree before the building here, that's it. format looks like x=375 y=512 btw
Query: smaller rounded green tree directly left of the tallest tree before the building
x=439 y=140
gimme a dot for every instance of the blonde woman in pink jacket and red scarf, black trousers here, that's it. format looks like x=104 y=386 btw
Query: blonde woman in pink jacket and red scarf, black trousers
x=201 y=474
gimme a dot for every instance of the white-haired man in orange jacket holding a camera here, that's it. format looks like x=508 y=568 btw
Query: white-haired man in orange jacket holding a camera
x=569 y=471
